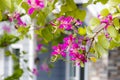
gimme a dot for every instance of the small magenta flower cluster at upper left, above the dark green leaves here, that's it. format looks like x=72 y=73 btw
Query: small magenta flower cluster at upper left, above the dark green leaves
x=17 y=18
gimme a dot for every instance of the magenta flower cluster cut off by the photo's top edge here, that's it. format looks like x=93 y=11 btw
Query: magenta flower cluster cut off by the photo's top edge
x=34 y=5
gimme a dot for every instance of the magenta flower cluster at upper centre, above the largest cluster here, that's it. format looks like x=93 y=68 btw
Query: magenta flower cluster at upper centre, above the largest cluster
x=66 y=22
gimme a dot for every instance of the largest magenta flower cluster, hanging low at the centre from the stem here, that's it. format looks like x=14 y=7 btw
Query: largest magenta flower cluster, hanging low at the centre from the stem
x=74 y=46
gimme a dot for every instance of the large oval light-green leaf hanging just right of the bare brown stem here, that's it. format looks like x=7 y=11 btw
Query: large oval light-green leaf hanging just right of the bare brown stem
x=103 y=41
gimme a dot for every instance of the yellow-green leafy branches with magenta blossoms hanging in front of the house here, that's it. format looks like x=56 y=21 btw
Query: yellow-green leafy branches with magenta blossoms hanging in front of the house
x=62 y=26
